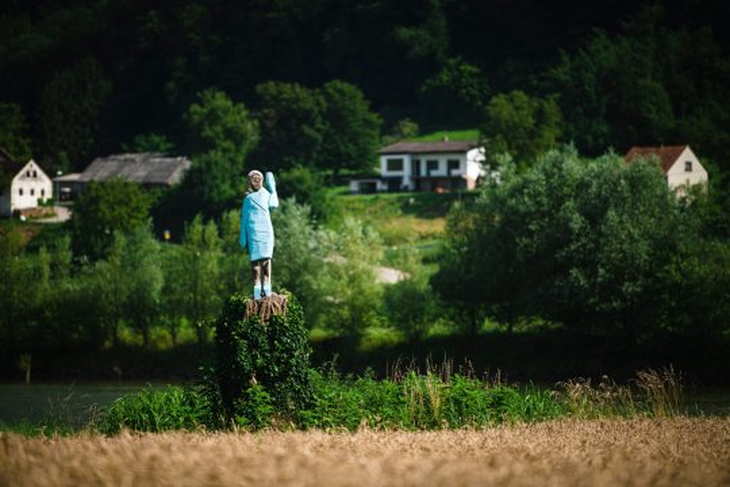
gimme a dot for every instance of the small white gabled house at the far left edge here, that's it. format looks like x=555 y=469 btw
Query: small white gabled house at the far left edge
x=29 y=184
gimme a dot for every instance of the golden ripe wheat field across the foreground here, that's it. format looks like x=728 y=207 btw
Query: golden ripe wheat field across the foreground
x=654 y=452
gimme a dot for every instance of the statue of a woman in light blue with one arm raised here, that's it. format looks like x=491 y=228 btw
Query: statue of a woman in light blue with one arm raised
x=257 y=233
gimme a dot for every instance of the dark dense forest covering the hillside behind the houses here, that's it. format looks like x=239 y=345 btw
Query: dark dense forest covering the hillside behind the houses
x=85 y=78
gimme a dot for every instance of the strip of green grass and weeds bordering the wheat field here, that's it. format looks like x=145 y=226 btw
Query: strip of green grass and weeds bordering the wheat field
x=439 y=398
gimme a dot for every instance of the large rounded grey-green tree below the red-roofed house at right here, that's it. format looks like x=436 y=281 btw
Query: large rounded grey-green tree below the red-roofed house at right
x=579 y=242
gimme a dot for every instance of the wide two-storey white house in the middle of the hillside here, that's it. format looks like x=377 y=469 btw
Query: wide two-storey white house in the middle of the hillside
x=428 y=166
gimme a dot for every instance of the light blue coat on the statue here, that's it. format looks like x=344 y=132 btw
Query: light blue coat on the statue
x=257 y=233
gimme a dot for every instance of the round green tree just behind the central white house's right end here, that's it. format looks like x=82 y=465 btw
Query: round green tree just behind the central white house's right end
x=520 y=125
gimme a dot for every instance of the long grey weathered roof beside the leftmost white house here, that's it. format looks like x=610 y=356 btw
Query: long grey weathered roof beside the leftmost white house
x=150 y=168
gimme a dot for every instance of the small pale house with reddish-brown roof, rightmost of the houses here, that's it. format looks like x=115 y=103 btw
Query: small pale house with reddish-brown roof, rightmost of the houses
x=681 y=166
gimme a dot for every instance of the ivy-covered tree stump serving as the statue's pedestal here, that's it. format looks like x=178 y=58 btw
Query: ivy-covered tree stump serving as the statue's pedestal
x=262 y=359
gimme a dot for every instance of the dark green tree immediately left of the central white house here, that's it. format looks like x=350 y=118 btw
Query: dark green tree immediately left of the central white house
x=352 y=132
